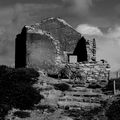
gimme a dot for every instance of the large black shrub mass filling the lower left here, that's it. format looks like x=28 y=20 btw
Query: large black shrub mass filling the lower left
x=16 y=88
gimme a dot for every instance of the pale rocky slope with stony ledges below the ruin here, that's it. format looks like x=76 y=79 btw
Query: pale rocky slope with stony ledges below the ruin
x=73 y=103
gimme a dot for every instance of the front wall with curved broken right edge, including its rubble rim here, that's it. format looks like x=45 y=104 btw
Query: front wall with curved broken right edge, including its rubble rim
x=42 y=50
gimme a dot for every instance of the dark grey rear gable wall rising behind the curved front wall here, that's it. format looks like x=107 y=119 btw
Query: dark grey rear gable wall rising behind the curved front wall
x=61 y=31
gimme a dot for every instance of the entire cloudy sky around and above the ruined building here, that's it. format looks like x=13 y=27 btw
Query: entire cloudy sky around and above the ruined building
x=102 y=17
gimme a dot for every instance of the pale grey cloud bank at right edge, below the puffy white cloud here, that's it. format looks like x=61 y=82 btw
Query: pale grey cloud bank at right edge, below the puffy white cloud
x=109 y=50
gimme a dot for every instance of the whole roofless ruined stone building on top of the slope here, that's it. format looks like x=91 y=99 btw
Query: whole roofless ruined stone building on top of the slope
x=52 y=42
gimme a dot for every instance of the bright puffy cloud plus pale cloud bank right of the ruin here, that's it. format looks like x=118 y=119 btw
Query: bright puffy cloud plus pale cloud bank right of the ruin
x=108 y=44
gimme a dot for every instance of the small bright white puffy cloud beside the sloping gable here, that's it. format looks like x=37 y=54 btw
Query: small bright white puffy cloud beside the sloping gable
x=88 y=29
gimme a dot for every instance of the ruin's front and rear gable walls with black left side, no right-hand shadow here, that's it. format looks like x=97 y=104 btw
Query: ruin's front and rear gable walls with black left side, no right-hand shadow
x=44 y=43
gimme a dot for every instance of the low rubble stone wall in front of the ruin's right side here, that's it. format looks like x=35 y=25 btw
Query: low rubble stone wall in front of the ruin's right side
x=89 y=73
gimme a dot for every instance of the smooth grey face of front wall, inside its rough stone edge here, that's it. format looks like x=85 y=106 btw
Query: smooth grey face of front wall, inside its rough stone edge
x=40 y=50
